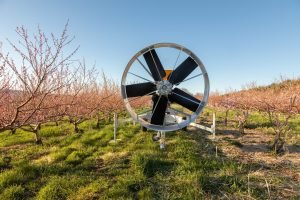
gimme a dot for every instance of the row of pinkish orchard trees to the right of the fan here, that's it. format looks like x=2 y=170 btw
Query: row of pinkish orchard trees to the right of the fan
x=279 y=103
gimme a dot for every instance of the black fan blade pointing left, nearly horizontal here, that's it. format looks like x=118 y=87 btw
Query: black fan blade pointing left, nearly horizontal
x=140 y=89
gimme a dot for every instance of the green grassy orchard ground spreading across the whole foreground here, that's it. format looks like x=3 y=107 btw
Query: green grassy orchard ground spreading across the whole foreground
x=92 y=166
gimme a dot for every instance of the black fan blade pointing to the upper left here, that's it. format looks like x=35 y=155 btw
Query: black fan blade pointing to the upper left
x=154 y=64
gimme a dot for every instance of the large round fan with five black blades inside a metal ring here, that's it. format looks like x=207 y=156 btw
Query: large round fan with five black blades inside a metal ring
x=165 y=87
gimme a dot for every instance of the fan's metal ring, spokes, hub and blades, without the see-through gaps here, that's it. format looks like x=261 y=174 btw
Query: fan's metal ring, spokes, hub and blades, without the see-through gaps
x=164 y=88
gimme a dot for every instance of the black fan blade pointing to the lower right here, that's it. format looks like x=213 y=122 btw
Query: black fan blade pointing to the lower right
x=184 y=99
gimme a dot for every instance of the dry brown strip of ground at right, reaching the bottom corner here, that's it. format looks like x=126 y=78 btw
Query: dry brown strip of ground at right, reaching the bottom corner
x=253 y=149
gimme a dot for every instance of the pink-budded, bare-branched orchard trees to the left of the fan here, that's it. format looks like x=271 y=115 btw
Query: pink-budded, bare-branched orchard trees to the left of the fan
x=43 y=82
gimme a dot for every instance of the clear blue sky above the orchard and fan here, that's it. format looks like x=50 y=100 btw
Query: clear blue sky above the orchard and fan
x=238 y=41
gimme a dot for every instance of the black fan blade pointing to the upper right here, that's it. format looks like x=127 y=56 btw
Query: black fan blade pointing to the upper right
x=183 y=70
